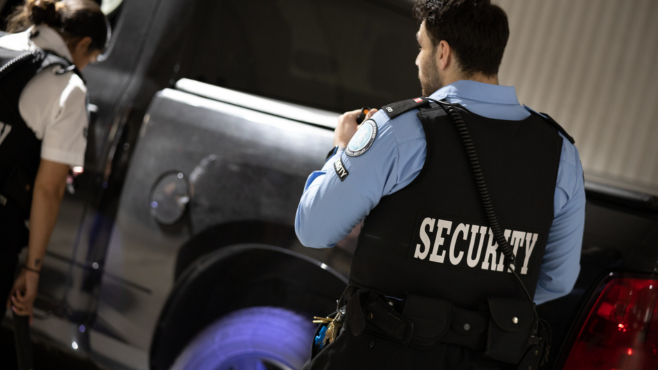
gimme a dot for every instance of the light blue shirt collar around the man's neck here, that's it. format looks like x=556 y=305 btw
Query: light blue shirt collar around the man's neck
x=473 y=90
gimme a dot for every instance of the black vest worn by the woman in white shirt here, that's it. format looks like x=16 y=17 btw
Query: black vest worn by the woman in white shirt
x=20 y=150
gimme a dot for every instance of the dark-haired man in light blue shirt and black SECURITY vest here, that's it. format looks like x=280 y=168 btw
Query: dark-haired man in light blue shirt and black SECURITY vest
x=431 y=286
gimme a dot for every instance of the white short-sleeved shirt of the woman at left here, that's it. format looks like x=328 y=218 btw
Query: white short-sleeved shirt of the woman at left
x=53 y=106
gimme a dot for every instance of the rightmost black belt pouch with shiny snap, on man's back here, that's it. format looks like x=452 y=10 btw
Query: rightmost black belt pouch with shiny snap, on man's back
x=510 y=328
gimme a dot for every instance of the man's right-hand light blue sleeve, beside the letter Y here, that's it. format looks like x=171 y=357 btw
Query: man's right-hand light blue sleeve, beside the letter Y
x=561 y=261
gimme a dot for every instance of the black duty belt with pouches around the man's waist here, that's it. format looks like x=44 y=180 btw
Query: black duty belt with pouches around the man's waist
x=501 y=329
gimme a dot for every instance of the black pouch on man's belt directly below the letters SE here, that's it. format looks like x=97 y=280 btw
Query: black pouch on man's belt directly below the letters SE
x=430 y=318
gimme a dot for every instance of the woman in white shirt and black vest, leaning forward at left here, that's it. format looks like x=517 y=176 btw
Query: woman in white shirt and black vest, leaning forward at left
x=43 y=128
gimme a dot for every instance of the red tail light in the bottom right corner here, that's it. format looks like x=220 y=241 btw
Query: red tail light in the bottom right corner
x=621 y=331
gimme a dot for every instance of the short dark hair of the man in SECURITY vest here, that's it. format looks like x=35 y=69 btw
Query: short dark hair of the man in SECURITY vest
x=476 y=30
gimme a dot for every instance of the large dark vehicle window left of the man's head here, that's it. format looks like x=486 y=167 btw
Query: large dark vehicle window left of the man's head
x=333 y=54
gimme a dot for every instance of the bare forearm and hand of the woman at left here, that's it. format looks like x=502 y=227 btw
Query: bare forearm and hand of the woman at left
x=47 y=195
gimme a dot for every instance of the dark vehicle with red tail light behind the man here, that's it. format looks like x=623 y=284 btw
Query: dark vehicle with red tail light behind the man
x=175 y=247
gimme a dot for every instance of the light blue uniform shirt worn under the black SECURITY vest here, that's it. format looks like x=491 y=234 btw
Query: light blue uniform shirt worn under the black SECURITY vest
x=330 y=208
